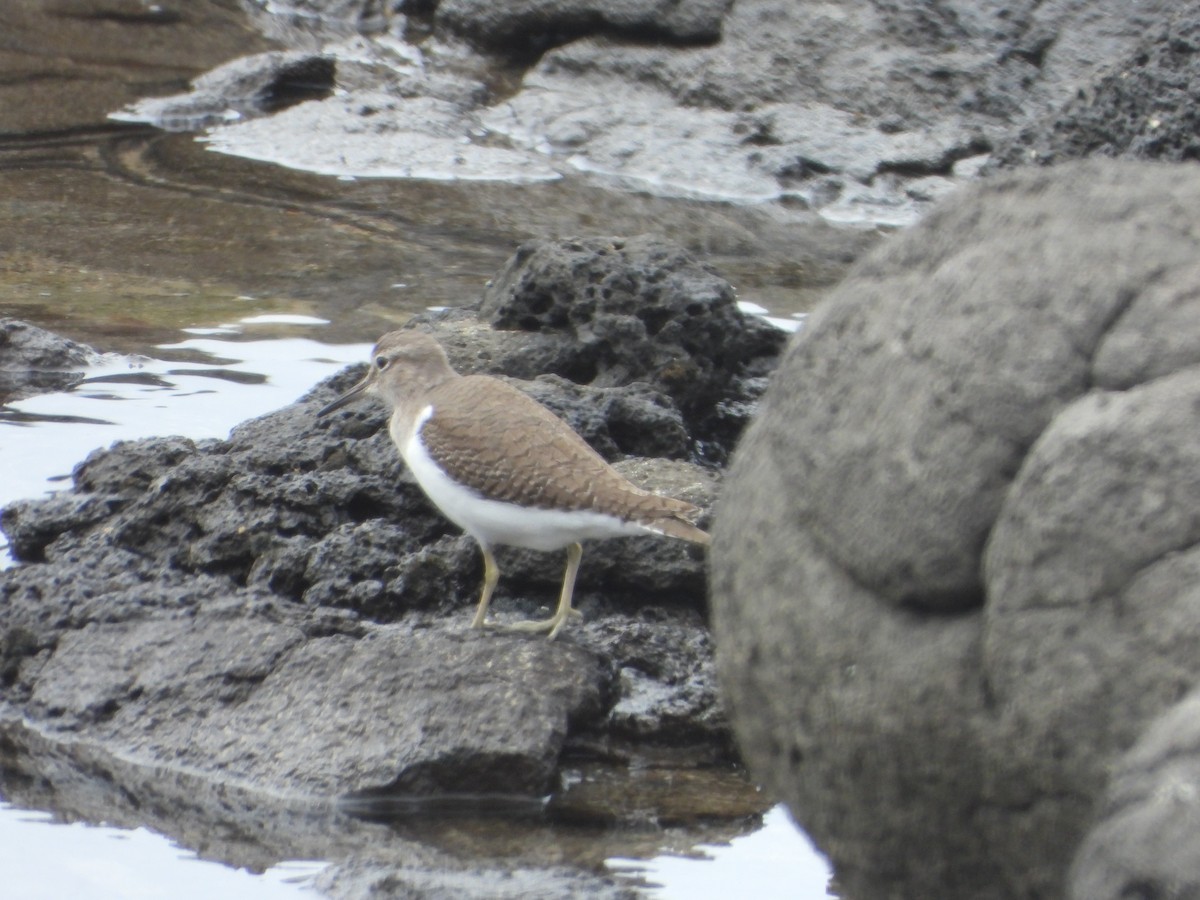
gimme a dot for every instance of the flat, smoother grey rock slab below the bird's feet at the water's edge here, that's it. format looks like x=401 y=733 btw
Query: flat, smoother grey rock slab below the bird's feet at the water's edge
x=117 y=633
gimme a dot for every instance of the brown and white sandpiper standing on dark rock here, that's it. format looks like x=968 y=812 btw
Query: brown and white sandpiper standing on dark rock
x=505 y=469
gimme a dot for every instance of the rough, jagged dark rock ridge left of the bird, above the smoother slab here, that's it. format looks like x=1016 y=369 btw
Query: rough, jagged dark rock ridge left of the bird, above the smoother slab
x=311 y=508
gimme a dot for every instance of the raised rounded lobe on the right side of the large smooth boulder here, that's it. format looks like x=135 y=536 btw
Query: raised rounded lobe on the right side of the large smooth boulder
x=1097 y=611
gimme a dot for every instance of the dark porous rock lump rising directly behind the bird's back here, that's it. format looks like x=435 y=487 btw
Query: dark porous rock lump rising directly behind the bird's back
x=641 y=310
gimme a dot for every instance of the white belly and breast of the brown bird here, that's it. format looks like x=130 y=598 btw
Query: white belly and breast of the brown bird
x=494 y=523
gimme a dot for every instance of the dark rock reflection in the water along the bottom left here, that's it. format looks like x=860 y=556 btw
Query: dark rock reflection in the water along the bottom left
x=427 y=850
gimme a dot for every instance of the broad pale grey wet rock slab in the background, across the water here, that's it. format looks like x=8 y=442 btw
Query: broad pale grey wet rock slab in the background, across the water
x=842 y=110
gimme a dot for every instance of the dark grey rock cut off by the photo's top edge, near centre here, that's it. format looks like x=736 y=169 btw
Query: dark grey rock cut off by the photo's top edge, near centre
x=520 y=28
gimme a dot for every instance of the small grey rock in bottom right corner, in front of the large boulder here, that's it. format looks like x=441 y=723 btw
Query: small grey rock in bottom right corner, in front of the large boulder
x=1145 y=842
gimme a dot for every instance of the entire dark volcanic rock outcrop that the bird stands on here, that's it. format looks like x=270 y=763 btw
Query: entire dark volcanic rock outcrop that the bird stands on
x=284 y=613
